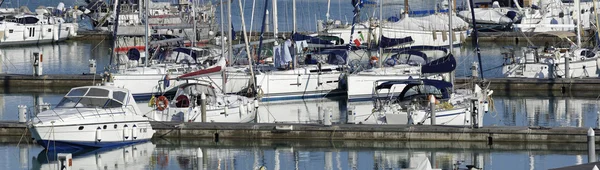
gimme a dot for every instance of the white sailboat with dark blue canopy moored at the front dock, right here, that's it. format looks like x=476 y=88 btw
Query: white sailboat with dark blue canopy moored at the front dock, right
x=412 y=105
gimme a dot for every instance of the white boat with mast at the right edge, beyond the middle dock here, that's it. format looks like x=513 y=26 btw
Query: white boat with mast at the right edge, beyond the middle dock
x=553 y=62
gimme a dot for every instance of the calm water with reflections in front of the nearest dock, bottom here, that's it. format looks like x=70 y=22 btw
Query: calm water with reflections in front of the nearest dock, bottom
x=304 y=155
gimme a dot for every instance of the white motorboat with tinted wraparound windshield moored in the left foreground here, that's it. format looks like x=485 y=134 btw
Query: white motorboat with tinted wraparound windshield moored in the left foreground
x=91 y=117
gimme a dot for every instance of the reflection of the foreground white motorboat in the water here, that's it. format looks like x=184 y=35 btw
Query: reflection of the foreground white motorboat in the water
x=129 y=157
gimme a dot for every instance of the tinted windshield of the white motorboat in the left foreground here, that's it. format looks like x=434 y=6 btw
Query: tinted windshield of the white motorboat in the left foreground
x=92 y=98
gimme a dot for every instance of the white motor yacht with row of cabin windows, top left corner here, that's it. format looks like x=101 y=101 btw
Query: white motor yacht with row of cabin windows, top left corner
x=30 y=28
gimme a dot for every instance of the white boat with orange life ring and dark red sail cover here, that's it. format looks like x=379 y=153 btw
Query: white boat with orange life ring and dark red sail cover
x=187 y=106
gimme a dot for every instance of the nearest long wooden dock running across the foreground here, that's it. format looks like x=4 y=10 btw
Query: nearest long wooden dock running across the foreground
x=218 y=131
